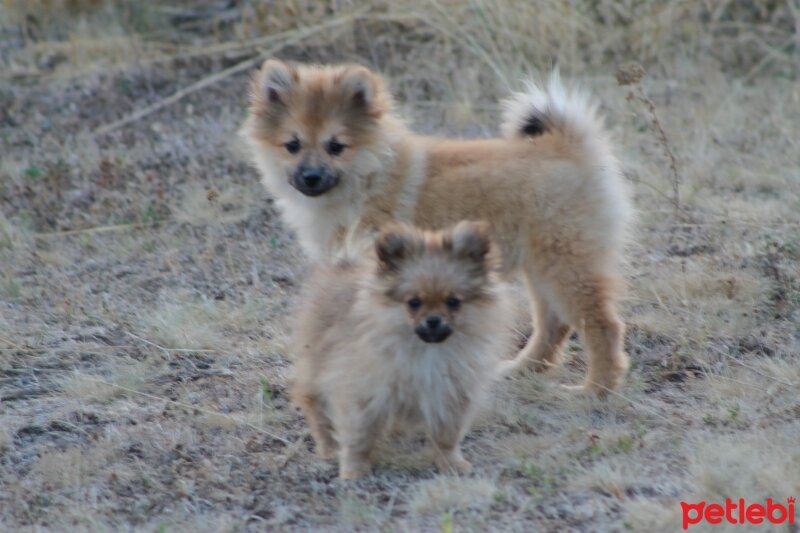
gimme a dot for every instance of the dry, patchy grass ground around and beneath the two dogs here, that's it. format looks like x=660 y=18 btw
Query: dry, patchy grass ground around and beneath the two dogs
x=146 y=279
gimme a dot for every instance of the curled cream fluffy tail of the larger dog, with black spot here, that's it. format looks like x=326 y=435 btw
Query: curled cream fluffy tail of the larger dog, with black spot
x=552 y=109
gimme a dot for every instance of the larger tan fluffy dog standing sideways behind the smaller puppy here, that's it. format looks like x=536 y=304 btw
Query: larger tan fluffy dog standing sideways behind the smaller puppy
x=341 y=164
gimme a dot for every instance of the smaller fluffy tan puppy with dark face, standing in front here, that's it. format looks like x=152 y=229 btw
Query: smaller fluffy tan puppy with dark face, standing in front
x=413 y=337
